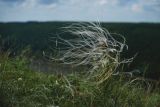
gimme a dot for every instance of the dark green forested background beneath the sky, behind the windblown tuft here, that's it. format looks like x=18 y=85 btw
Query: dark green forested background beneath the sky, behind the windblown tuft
x=141 y=38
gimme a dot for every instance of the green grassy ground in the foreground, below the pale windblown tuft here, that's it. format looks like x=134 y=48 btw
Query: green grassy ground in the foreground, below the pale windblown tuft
x=22 y=87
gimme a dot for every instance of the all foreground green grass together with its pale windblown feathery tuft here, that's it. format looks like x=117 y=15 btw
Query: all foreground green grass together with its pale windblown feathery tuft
x=107 y=85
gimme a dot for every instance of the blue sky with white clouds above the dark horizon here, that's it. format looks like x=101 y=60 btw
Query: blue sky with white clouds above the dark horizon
x=80 y=10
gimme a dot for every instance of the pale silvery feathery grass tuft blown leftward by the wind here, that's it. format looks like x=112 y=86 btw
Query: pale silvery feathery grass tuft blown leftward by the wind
x=93 y=46
